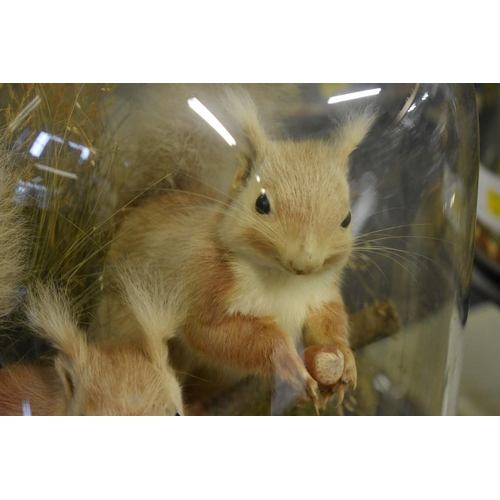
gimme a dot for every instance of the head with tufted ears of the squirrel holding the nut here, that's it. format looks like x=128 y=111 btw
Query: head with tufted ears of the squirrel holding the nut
x=291 y=203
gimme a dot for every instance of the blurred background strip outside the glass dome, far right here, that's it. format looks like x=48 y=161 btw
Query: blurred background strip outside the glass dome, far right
x=480 y=385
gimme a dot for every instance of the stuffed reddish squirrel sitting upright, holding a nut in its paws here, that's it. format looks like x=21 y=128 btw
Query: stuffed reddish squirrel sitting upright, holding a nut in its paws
x=257 y=276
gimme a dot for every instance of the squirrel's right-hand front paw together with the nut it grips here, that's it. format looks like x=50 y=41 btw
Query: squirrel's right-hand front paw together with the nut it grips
x=334 y=368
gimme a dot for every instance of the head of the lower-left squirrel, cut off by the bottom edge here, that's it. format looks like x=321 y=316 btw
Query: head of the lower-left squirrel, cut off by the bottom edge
x=128 y=379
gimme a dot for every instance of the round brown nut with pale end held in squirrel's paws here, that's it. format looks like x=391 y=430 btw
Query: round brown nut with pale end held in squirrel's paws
x=324 y=363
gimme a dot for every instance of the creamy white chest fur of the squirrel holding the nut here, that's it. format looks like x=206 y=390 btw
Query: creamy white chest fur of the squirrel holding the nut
x=287 y=297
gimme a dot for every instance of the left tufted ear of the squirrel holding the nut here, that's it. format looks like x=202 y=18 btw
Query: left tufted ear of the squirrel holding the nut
x=240 y=105
